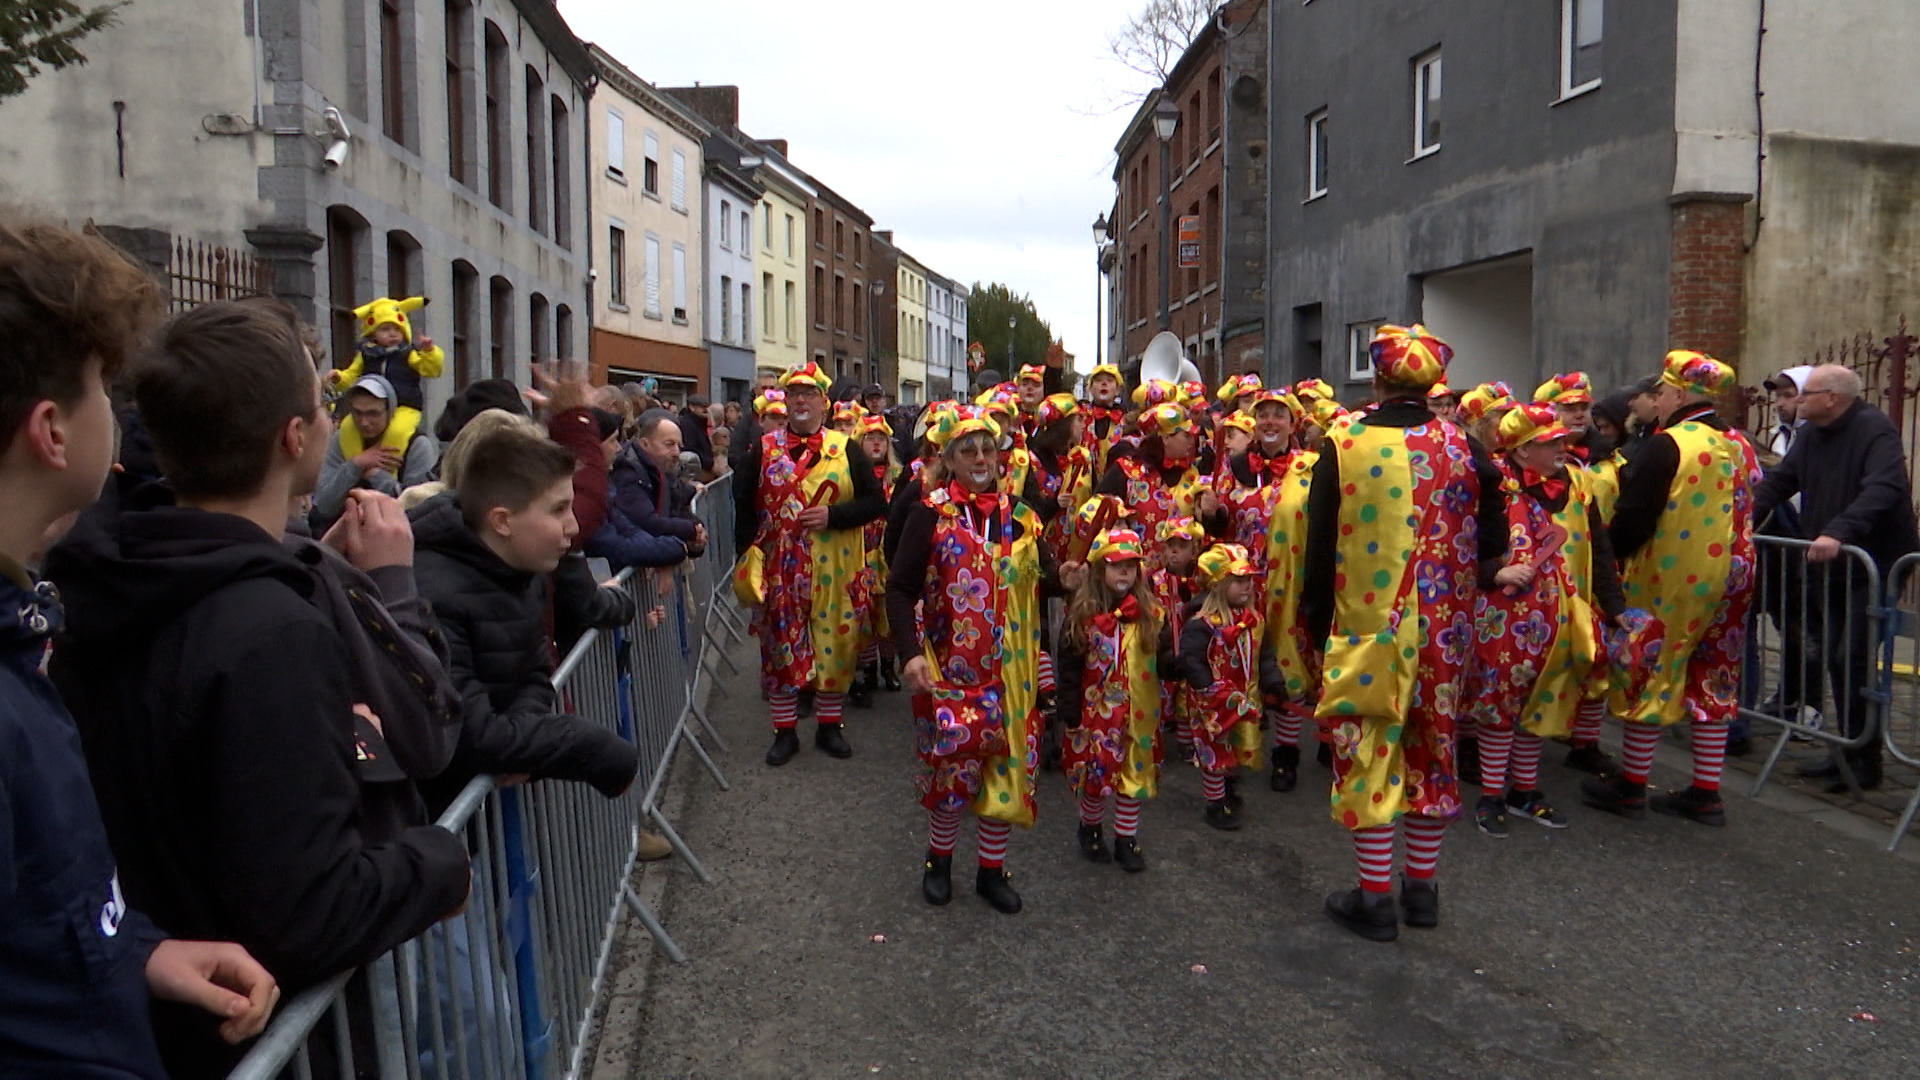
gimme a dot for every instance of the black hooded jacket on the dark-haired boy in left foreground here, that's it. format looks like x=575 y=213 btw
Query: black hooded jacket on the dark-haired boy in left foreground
x=216 y=710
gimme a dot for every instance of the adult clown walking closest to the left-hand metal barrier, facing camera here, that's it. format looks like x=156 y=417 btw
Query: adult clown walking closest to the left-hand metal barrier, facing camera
x=804 y=501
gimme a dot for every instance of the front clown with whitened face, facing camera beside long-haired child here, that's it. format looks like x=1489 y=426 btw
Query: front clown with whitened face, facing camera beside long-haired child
x=972 y=562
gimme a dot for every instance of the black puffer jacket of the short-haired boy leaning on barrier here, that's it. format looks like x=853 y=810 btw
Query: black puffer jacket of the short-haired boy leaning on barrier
x=502 y=662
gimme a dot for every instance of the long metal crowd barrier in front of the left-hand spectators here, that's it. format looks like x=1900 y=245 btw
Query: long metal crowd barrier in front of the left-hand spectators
x=512 y=987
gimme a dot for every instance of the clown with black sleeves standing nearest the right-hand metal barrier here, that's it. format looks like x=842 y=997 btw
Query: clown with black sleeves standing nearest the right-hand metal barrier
x=1683 y=529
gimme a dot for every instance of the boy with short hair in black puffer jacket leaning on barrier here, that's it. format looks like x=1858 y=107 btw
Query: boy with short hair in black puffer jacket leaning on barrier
x=483 y=562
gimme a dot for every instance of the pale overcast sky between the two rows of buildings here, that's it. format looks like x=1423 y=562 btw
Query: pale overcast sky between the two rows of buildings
x=980 y=134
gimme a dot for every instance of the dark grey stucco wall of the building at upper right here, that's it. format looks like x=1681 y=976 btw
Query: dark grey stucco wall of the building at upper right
x=1581 y=184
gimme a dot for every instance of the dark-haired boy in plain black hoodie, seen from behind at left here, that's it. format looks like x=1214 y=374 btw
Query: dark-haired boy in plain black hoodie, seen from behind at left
x=216 y=700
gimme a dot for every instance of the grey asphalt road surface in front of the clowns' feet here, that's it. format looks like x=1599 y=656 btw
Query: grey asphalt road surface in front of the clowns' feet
x=1660 y=948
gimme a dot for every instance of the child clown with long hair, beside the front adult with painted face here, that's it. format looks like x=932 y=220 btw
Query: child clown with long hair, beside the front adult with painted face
x=1109 y=693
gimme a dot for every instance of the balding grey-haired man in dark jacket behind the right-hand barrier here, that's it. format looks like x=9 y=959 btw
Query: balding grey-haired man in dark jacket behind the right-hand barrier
x=1852 y=476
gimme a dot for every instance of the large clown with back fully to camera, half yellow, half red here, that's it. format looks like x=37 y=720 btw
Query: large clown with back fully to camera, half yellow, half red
x=1401 y=518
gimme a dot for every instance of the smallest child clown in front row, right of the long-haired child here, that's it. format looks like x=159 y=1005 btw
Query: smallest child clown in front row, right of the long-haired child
x=1224 y=668
